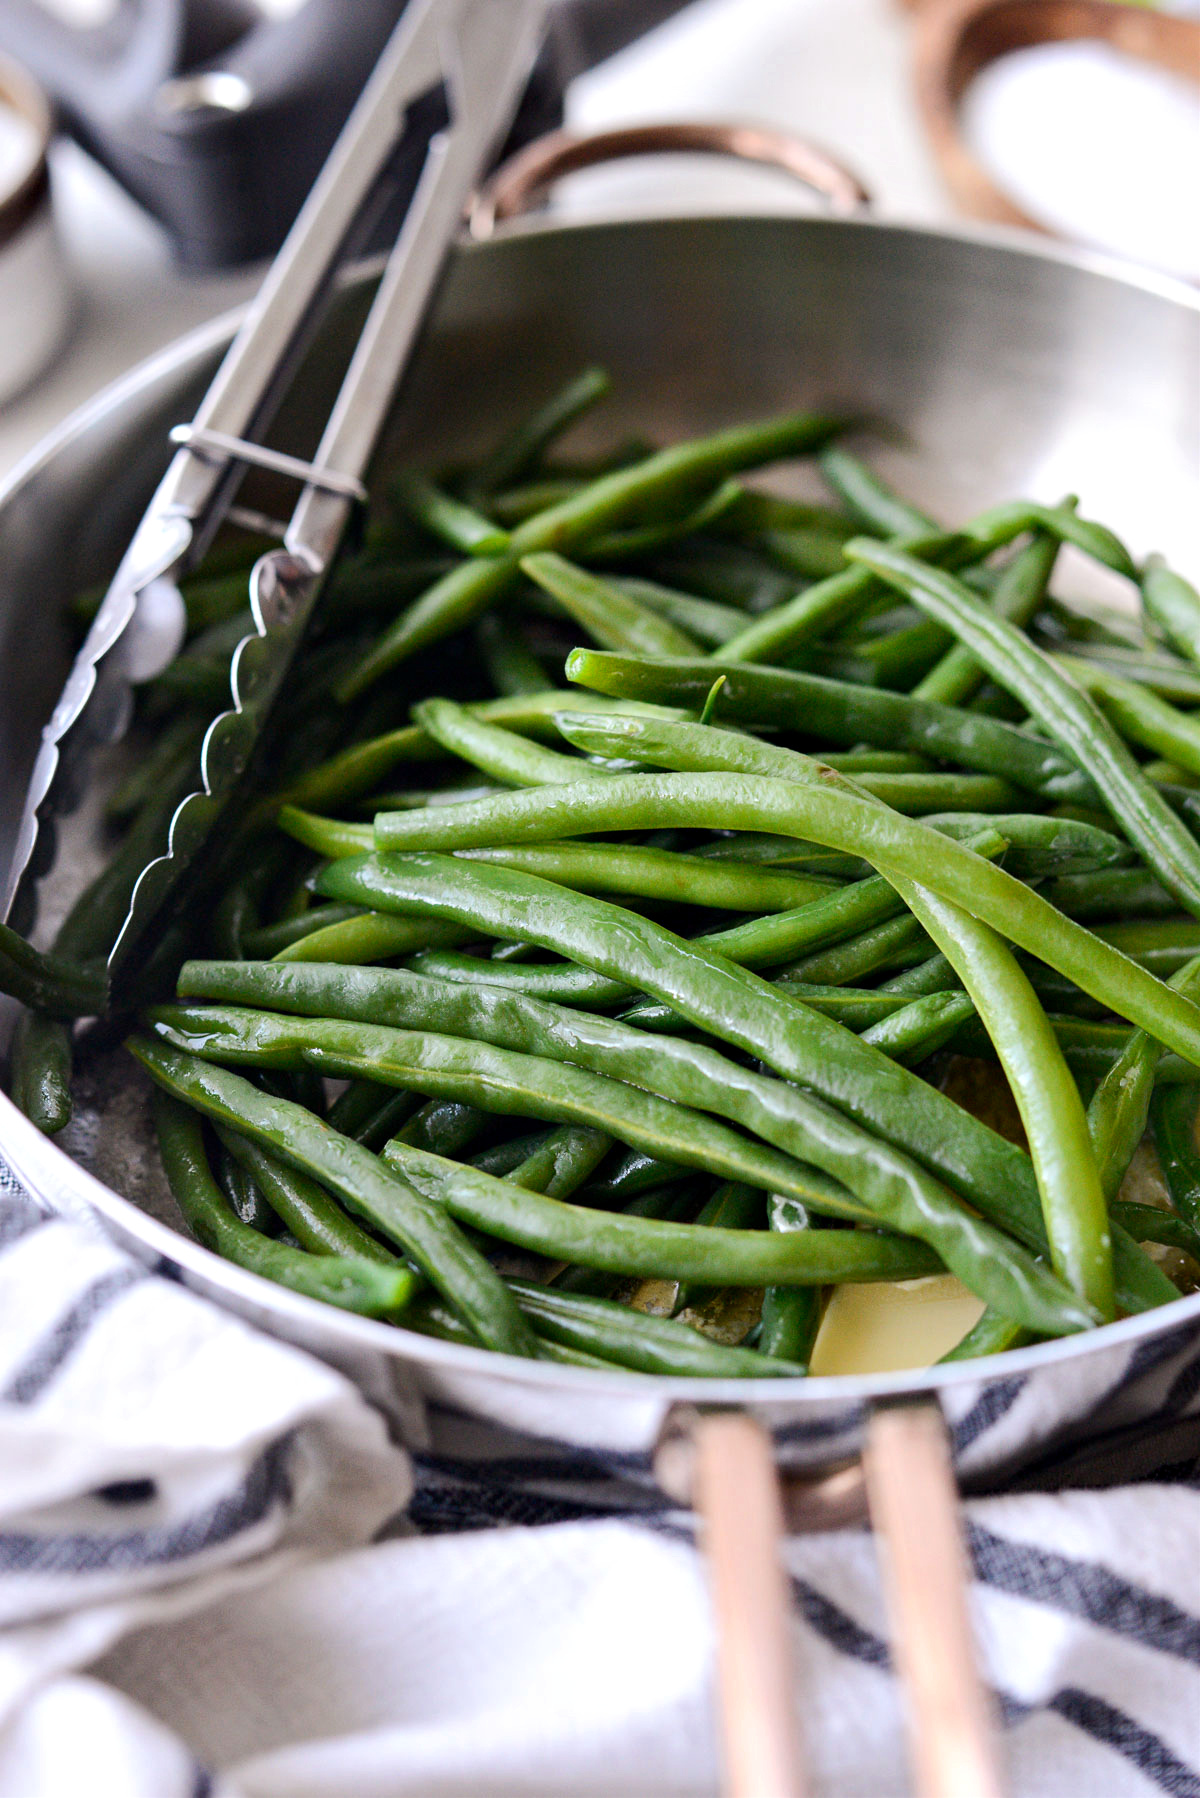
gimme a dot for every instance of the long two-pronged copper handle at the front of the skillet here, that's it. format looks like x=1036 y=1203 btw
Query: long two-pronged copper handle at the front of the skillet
x=722 y=1463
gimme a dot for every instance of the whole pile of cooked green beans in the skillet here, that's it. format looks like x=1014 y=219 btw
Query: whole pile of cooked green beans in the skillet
x=634 y=857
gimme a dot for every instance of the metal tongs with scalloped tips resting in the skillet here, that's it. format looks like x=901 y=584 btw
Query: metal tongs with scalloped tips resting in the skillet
x=481 y=55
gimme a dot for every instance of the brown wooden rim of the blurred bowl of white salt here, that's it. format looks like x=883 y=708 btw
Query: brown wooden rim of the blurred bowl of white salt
x=956 y=39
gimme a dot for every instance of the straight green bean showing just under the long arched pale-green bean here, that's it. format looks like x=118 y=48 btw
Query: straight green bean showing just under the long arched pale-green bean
x=661 y=875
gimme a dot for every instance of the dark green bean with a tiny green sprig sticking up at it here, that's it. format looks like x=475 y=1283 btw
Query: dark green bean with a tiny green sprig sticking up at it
x=841 y=713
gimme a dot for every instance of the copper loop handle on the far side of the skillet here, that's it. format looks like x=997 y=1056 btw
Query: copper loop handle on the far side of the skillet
x=528 y=177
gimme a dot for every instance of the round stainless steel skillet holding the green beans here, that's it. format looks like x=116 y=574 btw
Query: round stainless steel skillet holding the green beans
x=1003 y=366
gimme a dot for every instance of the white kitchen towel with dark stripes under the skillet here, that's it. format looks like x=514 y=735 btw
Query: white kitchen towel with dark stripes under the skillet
x=192 y=1599
